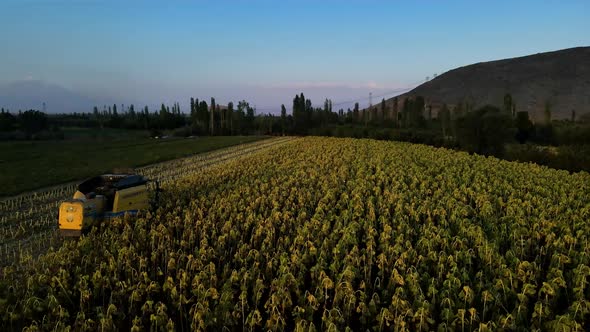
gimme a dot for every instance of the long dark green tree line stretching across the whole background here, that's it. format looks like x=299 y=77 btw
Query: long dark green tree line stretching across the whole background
x=486 y=130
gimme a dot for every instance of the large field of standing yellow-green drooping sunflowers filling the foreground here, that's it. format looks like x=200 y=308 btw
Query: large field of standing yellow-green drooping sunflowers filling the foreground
x=326 y=234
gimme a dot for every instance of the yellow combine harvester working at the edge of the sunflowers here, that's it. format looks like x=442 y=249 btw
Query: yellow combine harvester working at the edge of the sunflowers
x=103 y=197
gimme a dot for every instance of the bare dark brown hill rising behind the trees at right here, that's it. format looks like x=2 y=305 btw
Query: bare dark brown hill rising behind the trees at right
x=560 y=78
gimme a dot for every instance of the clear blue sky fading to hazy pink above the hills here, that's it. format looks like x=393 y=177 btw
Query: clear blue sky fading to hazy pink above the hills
x=149 y=52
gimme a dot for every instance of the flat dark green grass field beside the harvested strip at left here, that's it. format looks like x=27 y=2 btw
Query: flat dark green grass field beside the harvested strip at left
x=28 y=165
